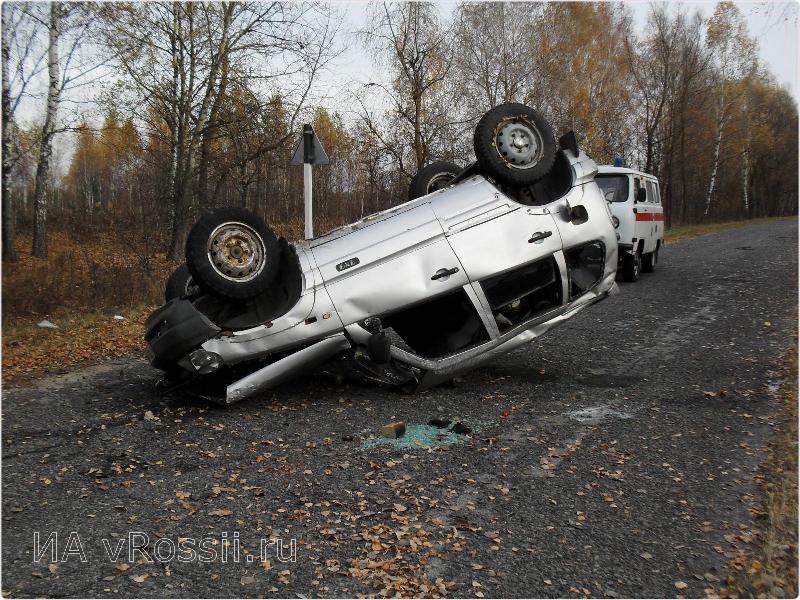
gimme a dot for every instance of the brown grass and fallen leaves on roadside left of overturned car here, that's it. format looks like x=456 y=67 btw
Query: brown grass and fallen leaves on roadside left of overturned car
x=86 y=279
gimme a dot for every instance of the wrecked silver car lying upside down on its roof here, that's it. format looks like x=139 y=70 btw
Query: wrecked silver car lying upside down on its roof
x=486 y=259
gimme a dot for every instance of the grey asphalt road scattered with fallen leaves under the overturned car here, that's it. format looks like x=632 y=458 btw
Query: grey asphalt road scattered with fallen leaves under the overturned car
x=624 y=465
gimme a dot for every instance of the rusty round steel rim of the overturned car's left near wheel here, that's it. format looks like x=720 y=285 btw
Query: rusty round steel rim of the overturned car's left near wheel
x=236 y=252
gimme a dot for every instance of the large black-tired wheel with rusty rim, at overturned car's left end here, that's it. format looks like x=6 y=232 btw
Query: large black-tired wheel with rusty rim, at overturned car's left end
x=245 y=253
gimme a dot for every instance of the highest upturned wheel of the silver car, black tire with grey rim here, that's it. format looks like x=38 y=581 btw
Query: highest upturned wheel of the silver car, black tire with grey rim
x=527 y=164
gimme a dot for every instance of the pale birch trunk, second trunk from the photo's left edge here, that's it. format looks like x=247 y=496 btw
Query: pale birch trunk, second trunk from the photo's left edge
x=46 y=148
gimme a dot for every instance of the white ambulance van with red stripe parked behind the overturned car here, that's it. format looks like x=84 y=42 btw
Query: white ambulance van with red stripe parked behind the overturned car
x=635 y=201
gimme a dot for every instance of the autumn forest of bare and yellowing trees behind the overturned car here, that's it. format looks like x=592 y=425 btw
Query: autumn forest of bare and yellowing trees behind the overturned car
x=202 y=105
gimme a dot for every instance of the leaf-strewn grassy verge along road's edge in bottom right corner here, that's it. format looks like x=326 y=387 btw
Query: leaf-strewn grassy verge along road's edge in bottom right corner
x=772 y=564
